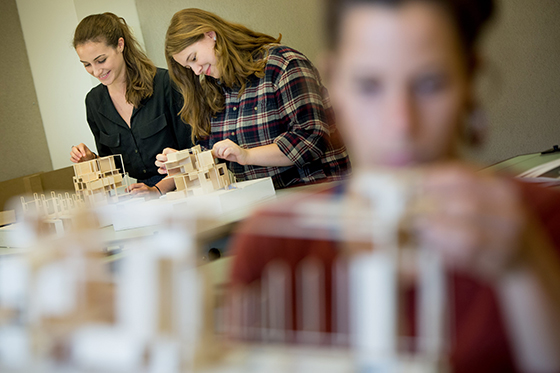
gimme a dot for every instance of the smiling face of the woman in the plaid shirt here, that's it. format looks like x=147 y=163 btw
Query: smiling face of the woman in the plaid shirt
x=200 y=57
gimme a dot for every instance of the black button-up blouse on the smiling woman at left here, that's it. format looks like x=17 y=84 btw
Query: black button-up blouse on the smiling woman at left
x=154 y=125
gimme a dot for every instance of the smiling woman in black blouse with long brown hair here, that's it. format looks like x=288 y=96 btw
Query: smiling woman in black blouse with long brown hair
x=133 y=111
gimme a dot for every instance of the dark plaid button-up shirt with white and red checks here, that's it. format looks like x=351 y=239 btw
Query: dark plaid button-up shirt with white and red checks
x=289 y=107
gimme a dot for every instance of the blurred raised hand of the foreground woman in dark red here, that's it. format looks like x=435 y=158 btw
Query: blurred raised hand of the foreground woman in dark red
x=475 y=221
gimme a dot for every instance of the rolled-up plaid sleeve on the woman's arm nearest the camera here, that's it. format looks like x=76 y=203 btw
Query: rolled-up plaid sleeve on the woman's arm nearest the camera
x=299 y=95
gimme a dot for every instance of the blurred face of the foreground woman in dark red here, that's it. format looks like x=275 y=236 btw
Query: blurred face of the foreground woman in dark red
x=399 y=84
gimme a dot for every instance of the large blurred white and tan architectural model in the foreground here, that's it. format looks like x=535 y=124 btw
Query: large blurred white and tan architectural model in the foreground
x=63 y=308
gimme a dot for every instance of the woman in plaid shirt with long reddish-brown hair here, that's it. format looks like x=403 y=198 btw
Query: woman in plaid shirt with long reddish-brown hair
x=256 y=103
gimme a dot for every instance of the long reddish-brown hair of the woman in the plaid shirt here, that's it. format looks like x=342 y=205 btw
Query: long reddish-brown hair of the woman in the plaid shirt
x=239 y=53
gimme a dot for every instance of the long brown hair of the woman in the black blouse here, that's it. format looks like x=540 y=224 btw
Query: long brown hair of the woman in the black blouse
x=109 y=28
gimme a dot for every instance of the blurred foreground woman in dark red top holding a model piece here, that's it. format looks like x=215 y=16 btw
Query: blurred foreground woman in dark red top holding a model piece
x=401 y=78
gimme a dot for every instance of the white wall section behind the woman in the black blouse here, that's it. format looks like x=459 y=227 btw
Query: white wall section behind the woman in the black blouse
x=61 y=81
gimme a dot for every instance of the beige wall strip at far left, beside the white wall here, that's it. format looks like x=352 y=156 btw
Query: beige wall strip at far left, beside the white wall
x=23 y=148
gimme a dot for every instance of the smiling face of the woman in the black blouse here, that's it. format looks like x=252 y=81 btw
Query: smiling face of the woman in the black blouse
x=102 y=61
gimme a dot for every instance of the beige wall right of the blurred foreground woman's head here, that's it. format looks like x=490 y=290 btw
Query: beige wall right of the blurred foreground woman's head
x=521 y=83
